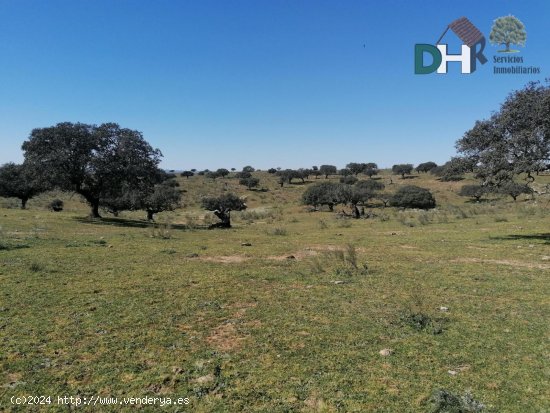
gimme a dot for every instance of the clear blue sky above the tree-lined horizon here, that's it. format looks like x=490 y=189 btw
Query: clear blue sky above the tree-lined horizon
x=274 y=83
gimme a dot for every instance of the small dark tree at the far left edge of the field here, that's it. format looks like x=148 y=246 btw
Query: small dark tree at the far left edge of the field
x=17 y=181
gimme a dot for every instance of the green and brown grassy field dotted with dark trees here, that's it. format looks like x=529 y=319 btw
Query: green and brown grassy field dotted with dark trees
x=288 y=311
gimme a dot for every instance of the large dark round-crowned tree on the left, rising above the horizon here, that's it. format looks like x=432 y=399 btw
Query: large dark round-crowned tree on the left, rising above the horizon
x=94 y=161
